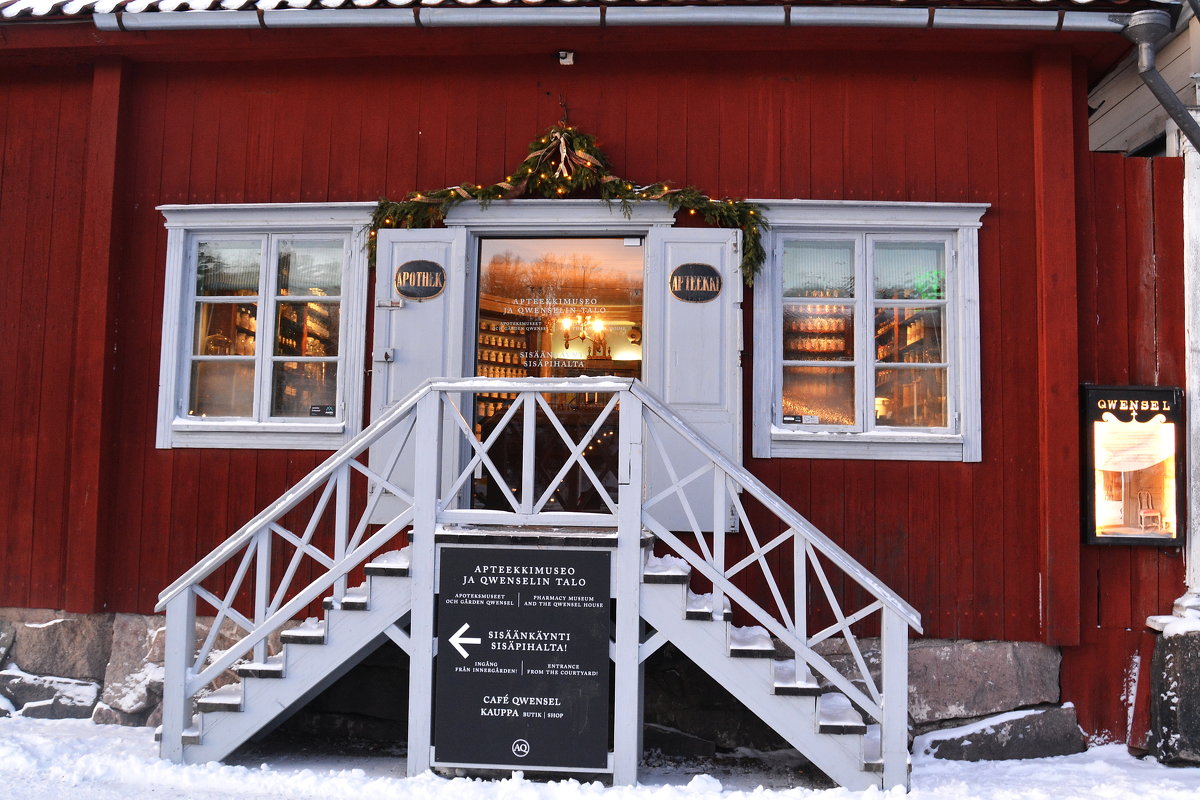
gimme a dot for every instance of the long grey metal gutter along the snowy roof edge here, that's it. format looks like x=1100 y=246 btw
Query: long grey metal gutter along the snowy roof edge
x=622 y=17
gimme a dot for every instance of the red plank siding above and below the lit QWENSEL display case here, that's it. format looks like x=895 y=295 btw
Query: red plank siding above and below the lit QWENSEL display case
x=1131 y=332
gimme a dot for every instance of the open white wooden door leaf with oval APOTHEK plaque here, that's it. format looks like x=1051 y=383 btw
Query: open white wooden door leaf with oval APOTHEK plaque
x=415 y=340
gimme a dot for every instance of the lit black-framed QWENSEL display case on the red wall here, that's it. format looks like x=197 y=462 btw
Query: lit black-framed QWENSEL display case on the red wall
x=1133 y=484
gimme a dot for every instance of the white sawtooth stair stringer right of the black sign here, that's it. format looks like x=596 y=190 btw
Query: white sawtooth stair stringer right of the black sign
x=752 y=682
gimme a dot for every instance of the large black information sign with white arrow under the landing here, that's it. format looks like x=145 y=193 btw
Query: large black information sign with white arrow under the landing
x=523 y=666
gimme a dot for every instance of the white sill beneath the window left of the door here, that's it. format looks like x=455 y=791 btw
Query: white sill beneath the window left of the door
x=257 y=436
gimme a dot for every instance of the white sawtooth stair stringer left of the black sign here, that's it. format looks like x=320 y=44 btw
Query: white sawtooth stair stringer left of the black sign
x=308 y=670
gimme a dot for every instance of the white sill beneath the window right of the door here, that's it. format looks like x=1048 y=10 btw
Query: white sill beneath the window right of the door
x=785 y=443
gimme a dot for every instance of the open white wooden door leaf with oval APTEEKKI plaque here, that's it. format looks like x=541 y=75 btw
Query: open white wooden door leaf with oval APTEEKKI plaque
x=693 y=354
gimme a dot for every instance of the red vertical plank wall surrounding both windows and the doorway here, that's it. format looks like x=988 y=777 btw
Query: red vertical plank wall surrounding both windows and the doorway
x=983 y=551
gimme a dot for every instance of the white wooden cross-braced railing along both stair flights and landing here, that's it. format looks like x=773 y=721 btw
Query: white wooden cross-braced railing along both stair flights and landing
x=539 y=453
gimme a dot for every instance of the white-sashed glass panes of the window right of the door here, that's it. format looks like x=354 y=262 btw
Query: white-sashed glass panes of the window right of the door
x=865 y=321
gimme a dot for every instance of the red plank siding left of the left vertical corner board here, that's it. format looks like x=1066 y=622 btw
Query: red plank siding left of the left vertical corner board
x=44 y=129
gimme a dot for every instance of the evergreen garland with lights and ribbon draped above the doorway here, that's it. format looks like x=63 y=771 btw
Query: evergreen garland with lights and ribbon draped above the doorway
x=566 y=161
